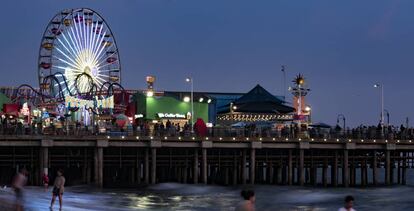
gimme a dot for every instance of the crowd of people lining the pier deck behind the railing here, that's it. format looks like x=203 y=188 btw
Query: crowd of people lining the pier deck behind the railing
x=8 y=127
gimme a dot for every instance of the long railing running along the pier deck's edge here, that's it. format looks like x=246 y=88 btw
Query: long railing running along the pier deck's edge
x=217 y=132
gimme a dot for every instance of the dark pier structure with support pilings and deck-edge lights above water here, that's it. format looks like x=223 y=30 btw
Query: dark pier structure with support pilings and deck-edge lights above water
x=130 y=161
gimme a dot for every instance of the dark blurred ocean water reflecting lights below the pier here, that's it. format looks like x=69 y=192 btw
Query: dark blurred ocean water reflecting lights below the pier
x=173 y=196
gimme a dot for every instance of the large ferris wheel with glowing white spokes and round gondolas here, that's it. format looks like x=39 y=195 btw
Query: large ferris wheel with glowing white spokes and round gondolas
x=78 y=56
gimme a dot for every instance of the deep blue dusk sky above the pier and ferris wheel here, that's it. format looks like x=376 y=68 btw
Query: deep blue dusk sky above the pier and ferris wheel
x=342 y=48
